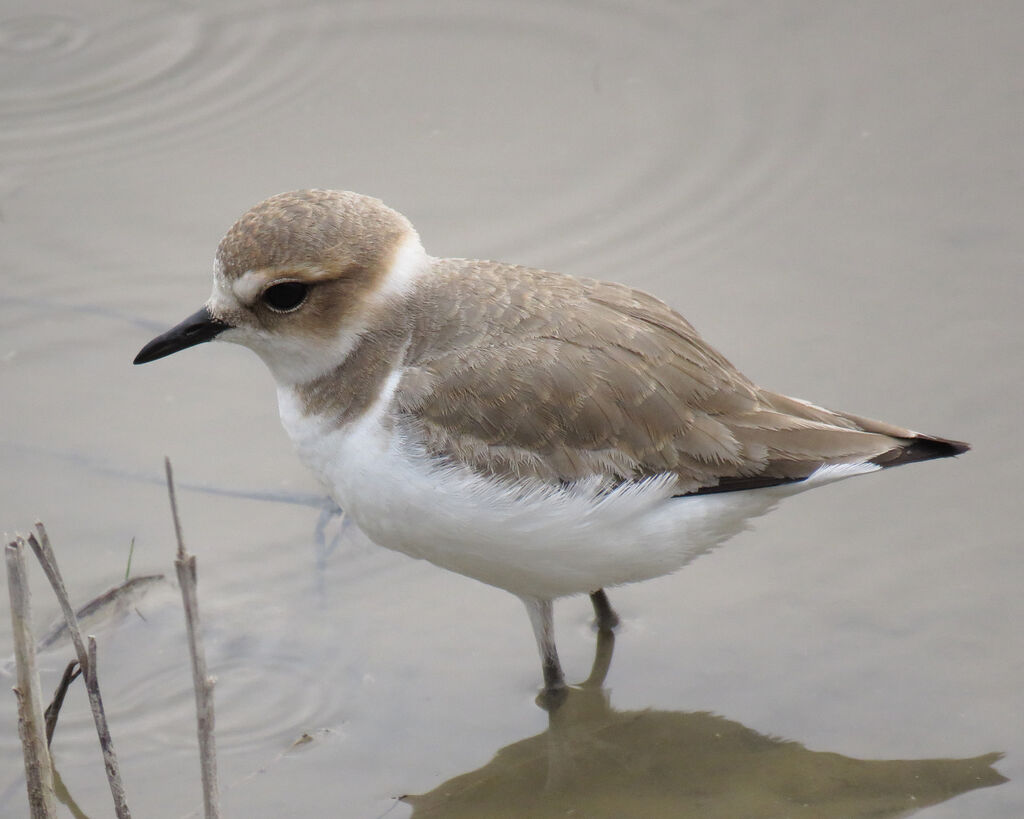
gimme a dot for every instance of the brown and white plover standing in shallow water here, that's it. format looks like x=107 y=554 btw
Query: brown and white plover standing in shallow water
x=546 y=435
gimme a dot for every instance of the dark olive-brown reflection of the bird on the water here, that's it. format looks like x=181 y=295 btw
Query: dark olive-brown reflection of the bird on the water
x=598 y=762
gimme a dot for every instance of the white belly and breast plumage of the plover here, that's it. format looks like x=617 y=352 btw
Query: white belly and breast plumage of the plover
x=532 y=540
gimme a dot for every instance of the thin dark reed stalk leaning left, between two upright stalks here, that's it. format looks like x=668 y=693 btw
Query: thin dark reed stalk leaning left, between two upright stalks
x=88 y=660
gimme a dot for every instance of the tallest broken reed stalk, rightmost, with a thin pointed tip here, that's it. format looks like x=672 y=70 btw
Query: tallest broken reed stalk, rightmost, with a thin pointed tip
x=185 y=565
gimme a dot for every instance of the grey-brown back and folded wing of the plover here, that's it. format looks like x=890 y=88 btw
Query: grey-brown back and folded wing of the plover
x=526 y=373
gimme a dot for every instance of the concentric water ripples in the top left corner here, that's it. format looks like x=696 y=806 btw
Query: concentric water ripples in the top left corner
x=119 y=78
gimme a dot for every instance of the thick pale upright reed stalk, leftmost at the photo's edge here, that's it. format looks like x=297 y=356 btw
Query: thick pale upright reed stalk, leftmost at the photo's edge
x=38 y=766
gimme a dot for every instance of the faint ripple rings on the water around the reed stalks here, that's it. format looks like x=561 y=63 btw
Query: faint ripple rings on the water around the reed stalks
x=273 y=683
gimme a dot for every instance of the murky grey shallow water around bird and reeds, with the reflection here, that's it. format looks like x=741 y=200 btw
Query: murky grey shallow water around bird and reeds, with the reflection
x=831 y=193
